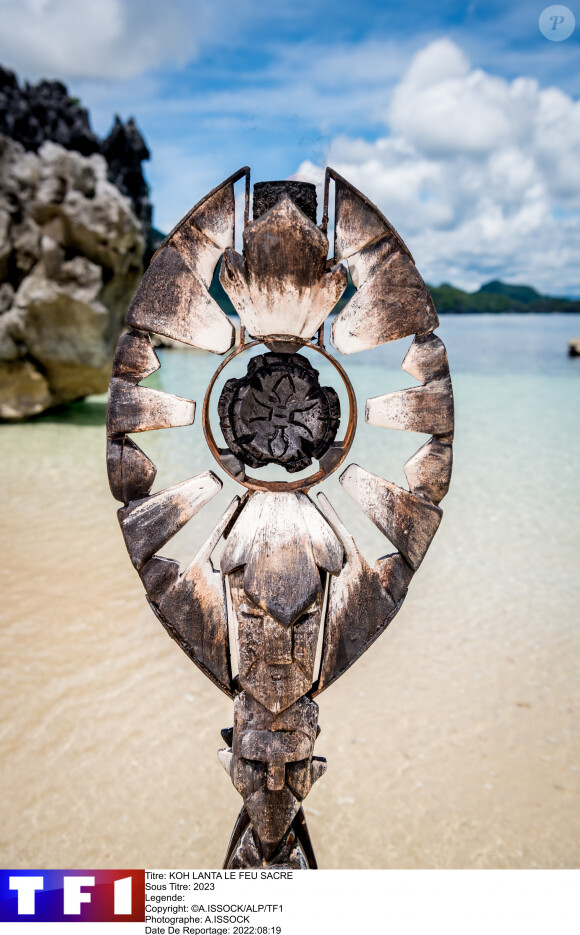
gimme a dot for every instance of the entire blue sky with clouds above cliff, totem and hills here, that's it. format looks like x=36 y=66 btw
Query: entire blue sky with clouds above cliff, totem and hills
x=461 y=121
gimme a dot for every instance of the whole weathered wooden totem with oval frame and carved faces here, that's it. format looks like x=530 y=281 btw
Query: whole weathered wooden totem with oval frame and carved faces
x=292 y=568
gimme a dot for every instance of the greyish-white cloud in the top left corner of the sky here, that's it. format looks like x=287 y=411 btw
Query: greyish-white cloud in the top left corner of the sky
x=108 y=39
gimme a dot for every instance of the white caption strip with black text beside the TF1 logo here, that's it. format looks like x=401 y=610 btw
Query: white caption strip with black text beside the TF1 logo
x=344 y=902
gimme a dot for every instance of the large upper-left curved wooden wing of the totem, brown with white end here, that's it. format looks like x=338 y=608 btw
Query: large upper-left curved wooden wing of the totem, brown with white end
x=173 y=298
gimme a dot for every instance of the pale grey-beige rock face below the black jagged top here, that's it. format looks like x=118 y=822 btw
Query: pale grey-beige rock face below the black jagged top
x=71 y=250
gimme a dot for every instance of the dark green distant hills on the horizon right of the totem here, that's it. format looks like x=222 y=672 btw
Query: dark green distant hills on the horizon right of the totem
x=497 y=297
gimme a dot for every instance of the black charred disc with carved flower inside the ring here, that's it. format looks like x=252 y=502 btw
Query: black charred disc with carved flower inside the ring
x=278 y=413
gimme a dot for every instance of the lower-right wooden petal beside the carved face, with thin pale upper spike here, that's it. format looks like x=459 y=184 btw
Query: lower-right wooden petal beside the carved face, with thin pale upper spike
x=359 y=608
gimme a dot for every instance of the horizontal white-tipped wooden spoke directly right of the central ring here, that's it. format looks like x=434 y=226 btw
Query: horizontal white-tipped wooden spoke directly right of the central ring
x=426 y=409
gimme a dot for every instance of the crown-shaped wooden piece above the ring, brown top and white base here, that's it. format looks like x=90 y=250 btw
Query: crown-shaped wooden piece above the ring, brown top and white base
x=281 y=285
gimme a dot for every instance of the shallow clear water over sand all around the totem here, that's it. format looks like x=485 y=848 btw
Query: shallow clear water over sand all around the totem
x=453 y=742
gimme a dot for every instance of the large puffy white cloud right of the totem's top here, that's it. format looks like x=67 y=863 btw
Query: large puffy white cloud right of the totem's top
x=481 y=175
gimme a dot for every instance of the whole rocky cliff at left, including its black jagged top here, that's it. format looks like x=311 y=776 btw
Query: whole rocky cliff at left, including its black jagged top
x=75 y=226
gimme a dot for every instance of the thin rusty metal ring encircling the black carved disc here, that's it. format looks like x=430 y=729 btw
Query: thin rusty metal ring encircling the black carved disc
x=252 y=483
